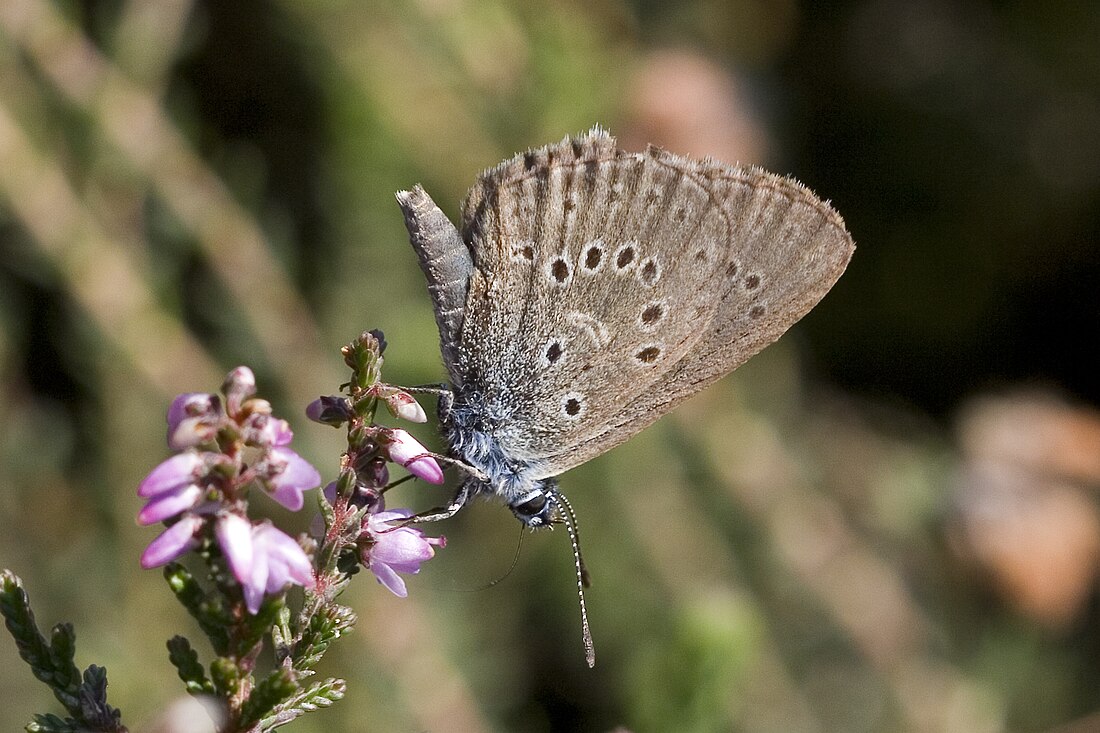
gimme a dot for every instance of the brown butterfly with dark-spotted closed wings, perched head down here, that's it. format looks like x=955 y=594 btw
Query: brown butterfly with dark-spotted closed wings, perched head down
x=591 y=290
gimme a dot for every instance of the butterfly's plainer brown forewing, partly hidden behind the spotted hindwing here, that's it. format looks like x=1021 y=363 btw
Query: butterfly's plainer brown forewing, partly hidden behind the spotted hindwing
x=786 y=250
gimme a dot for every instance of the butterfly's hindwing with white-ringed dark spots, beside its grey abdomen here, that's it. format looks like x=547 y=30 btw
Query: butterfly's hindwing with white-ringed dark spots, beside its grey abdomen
x=588 y=264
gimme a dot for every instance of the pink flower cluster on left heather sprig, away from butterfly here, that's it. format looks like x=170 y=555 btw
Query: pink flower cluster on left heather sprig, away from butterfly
x=226 y=451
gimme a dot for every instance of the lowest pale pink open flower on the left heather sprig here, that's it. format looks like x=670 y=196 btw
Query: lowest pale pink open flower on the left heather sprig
x=262 y=559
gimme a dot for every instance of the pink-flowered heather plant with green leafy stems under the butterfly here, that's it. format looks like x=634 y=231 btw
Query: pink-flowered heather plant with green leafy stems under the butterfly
x=237 y=574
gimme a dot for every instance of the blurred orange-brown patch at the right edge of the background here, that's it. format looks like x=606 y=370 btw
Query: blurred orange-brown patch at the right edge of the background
x=1027 y=508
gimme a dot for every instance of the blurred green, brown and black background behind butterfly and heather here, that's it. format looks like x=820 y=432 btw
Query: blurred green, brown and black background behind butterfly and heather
x=886 y=522
